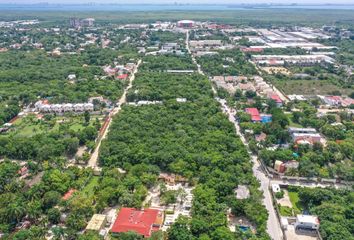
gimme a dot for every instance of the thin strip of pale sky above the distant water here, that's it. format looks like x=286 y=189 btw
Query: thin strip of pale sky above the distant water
x=185 y=1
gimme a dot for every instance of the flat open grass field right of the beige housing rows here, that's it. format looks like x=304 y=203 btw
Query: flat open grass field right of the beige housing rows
x=309 y=87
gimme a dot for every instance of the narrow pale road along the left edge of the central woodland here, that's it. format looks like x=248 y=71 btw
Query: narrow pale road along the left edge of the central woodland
x=94 y=157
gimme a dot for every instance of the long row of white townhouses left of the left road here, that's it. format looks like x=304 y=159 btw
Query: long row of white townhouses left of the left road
x=44 y=107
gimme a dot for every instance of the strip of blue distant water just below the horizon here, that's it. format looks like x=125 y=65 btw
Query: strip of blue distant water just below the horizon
x=147 y=7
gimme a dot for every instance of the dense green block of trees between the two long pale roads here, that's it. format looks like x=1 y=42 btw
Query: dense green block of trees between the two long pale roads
x=196 y=140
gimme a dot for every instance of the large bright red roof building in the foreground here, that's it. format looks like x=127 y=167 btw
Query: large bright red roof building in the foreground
x=140 y=221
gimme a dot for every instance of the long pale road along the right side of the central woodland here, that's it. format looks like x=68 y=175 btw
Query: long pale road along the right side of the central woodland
x=273 y=226
